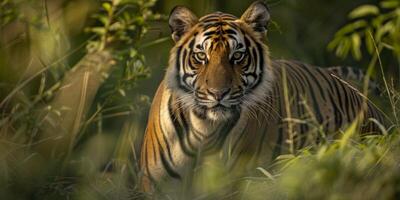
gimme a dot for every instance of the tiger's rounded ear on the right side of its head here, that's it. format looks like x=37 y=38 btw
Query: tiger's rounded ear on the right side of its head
x=257 y=16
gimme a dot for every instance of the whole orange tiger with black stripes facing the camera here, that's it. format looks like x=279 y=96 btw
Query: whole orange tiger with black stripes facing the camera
x=223 y=95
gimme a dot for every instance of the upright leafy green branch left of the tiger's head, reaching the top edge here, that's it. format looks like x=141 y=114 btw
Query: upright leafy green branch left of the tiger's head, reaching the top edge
x=120 y=26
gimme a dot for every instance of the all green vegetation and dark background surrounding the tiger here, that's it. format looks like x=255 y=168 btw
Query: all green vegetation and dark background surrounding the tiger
x=75 y=134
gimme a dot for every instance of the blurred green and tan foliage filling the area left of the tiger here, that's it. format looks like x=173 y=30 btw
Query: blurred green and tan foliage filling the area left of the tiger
x=47 y=77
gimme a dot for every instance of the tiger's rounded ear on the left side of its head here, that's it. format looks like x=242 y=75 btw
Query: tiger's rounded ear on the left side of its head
x=181 y=20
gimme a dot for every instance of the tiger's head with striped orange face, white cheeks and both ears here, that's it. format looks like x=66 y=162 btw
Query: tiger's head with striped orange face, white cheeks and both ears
x=219 y=65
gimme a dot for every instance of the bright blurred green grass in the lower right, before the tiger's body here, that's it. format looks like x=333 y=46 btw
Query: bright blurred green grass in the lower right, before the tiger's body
x=366 y=169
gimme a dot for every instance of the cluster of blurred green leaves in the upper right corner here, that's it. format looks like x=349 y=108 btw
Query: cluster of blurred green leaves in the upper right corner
x=371 y=24
